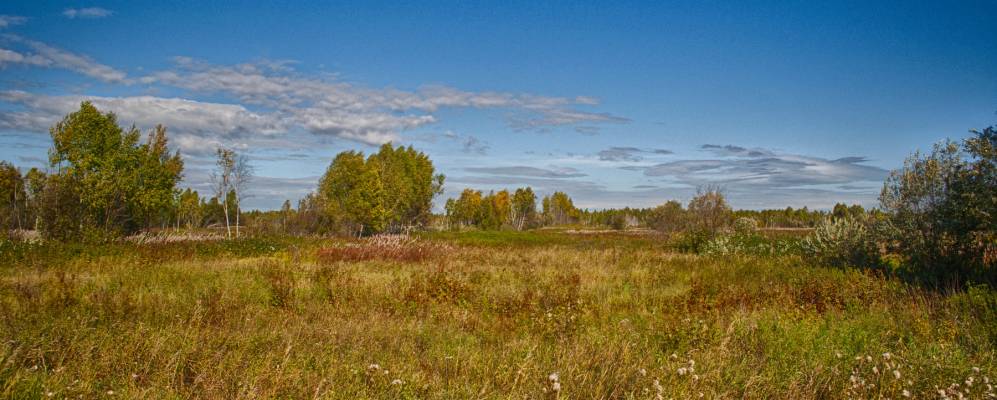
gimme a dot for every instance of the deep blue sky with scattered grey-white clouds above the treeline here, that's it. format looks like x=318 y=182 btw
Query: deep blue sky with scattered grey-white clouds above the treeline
x=616 y=103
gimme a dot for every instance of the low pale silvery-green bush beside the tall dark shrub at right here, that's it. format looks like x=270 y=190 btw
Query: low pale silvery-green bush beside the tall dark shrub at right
x=841 y=242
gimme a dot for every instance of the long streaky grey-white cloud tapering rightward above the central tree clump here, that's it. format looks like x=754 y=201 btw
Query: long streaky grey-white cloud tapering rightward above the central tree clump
x=328 y=106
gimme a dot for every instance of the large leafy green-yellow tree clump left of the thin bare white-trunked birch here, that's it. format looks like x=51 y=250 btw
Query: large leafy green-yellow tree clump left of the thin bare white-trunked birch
x=106 y=182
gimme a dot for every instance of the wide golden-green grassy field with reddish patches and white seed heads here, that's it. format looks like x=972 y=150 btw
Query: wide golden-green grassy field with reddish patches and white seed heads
x=475 y=315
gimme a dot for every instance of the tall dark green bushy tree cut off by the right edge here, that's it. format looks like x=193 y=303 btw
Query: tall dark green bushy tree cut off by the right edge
x=941 y=210
